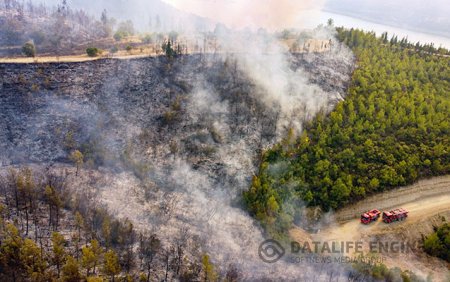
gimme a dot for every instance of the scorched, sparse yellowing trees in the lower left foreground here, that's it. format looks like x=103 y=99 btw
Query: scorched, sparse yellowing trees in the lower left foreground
x=48 y=232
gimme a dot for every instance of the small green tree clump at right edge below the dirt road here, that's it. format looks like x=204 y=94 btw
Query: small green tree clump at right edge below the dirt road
x=438 y=243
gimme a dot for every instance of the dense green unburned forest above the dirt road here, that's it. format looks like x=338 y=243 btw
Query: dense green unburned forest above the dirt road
x=392 y=129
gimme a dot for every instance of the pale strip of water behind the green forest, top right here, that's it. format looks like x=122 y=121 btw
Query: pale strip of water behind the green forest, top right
x=313 y=18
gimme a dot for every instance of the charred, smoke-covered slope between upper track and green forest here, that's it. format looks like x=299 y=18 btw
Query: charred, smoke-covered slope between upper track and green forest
x=169 y=144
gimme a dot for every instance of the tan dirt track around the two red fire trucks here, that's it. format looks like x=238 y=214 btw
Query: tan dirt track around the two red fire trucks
x=428 y=203
